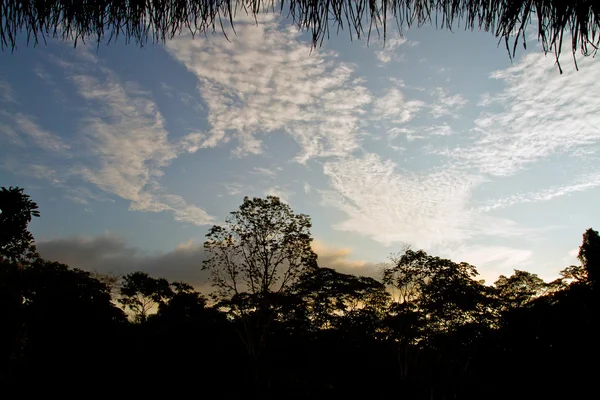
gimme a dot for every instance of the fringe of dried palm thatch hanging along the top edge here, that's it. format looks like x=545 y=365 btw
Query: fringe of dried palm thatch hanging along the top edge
x=160 y=20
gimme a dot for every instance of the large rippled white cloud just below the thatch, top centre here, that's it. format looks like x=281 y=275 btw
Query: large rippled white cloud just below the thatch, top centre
x=266 y=80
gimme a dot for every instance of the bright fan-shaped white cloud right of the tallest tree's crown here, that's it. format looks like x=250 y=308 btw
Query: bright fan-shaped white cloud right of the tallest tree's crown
x=393 y=206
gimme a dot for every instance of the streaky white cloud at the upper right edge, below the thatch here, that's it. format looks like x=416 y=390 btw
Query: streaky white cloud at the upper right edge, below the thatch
x=542 y=114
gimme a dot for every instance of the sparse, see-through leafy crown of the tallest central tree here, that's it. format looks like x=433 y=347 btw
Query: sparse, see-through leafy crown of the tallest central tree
x=262 y=248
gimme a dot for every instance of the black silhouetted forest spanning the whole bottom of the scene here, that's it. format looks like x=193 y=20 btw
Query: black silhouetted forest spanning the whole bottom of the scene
x=277 y=325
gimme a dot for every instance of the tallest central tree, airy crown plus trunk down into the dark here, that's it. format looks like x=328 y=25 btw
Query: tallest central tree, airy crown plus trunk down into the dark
x=259 y=252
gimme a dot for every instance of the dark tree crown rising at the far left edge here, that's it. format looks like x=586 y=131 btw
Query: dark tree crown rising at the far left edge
x=16 y=212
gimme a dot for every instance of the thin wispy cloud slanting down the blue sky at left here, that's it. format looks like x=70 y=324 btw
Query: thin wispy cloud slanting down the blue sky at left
x=127 y=142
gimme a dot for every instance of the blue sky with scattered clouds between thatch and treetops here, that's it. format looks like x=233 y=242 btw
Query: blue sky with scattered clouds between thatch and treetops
x=436 y=140
